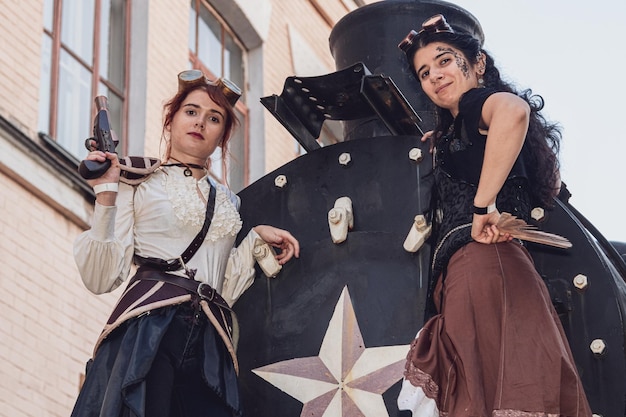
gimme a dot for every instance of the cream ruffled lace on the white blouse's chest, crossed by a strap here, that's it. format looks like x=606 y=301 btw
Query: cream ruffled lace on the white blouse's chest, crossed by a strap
x=190 y=209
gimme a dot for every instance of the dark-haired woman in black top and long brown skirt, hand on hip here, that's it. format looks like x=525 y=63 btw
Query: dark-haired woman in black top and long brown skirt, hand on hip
x=494 y=345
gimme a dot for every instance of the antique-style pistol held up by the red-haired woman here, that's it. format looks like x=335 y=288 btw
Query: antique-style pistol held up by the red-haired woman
x=105 y=141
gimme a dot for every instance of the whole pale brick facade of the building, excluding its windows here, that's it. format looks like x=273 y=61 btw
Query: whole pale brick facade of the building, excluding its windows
x=49 y=320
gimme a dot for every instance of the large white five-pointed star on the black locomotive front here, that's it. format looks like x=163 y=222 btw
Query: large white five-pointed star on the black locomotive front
x=346 y=379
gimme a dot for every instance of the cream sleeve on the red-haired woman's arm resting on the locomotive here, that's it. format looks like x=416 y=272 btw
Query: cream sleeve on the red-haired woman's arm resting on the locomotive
x=240 y=270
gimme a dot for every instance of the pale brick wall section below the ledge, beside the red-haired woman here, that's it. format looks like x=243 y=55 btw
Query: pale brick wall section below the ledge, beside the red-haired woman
x=49 y=320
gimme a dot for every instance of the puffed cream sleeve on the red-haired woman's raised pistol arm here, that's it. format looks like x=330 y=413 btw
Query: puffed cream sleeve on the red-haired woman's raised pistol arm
x=104 y=253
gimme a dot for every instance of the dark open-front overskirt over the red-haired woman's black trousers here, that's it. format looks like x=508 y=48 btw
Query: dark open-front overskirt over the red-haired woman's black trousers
x=115 y=378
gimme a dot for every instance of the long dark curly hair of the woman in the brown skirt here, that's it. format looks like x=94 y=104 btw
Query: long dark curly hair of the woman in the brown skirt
x=543 y=139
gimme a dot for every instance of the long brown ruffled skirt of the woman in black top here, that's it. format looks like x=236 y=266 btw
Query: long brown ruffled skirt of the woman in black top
x=497 y=348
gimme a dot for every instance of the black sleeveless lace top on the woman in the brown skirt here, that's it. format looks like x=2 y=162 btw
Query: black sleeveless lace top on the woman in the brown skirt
x=458 y=162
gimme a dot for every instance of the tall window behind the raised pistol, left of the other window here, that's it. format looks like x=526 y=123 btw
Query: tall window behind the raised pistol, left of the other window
x=84 y=55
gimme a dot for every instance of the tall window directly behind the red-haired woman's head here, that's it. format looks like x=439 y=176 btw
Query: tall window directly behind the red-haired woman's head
x=215 y=50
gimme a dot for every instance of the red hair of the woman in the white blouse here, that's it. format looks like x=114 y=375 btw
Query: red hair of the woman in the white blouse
x=215 y=92
